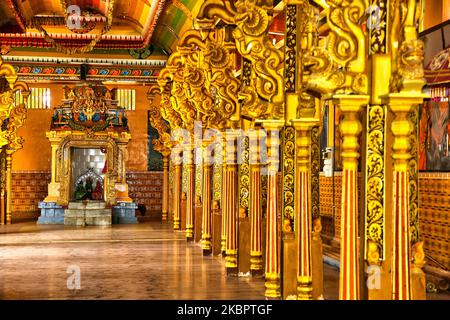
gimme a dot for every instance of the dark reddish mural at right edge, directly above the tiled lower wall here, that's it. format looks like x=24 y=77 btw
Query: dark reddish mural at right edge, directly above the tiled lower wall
x=434 y=130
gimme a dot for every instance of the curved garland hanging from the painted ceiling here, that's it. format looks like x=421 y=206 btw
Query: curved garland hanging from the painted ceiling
x=87 y=48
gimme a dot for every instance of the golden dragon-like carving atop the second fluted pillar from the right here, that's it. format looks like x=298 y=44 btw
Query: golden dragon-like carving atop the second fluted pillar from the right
x=342 y=66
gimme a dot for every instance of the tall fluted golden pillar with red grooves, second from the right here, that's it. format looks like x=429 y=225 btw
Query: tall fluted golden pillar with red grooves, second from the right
x=351 y=127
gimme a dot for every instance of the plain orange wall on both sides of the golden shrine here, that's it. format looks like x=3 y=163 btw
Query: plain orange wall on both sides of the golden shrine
x=36 y=153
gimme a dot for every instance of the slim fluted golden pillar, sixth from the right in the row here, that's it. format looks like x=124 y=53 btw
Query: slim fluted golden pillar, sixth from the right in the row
x=231 y=204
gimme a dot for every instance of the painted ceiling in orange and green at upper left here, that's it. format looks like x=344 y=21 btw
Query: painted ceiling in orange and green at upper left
x=135 y=23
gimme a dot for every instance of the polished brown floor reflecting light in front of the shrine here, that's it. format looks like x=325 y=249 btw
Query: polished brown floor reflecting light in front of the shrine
x=143 y=261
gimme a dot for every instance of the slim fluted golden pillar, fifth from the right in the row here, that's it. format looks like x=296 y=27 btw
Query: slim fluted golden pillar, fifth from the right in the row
x=256 y=261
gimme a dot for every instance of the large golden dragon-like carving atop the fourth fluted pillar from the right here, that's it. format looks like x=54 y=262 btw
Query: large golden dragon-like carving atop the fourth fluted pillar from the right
x=251 y=20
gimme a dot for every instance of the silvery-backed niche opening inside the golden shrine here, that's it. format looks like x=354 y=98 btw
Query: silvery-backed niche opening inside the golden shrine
x=88 y=174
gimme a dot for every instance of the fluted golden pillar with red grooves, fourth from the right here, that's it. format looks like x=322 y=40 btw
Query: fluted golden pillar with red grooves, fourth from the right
x=272 y=268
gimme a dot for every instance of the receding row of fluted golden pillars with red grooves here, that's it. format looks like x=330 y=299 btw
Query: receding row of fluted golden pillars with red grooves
x=268 y=251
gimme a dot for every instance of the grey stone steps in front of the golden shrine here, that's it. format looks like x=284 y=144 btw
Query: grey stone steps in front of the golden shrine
x=87 y=213
